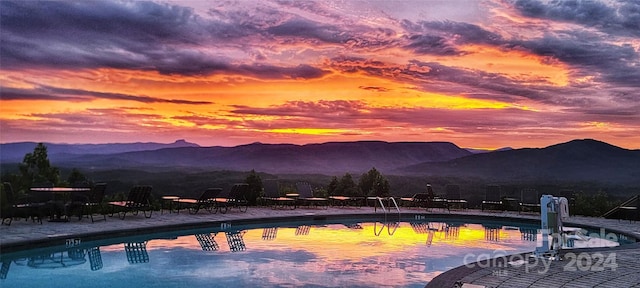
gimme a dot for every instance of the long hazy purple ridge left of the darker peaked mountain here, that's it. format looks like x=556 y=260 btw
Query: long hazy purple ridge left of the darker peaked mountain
x=330 y=157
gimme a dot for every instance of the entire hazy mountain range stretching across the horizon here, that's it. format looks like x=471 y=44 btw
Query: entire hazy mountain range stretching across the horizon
x=578 y=160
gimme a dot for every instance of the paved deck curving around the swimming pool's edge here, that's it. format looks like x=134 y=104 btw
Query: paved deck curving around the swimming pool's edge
x=22 y=234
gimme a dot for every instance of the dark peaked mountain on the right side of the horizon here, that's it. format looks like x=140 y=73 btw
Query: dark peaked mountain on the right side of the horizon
x=585 y=160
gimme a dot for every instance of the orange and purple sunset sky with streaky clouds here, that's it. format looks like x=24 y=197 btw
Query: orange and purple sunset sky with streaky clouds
x=480 y=74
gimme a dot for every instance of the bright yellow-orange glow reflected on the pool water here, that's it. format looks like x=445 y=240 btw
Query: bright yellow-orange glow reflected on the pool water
x=336 y=242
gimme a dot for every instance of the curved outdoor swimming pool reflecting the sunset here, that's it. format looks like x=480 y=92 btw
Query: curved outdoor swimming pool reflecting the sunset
x=321 y=253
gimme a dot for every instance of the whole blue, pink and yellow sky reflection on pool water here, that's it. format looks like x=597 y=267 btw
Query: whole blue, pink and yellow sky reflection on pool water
x=332 y=255
